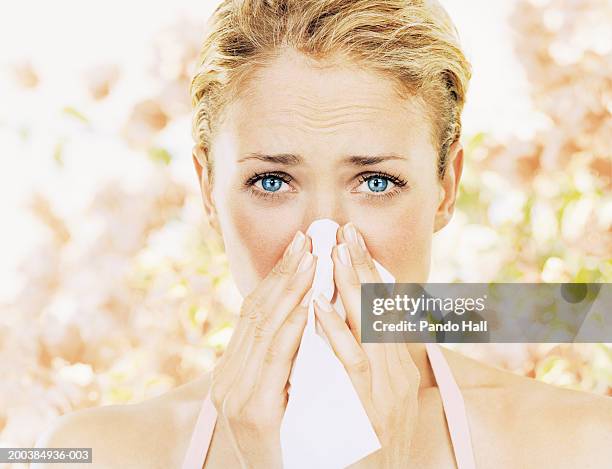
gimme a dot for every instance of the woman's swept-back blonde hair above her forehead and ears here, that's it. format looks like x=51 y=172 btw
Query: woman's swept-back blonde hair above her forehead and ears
x=411 y=41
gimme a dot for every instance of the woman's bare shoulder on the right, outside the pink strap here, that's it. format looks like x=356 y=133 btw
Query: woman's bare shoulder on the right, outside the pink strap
x=552 y=426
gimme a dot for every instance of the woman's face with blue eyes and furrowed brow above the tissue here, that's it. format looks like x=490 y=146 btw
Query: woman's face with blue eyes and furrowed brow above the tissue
x=306 y=143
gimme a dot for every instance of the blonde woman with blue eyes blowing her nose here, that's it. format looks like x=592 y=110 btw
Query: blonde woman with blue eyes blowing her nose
x=349 y=110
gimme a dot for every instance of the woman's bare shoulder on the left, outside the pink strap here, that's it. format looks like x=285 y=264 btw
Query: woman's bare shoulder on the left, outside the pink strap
x=152 y=434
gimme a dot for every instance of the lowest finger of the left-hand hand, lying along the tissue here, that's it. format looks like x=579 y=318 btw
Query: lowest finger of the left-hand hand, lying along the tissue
x=279 y=357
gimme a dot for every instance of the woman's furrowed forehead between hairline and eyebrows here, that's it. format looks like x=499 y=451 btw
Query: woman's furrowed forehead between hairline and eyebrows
x=295 y=101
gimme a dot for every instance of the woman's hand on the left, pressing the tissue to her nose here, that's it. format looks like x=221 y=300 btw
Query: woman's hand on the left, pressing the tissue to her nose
x=249 y=383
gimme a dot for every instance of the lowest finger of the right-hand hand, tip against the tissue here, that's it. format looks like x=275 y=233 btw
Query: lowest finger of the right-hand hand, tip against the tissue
x=353 y=357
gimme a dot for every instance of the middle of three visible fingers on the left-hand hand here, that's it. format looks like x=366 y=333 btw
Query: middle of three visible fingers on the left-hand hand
x=265 y=330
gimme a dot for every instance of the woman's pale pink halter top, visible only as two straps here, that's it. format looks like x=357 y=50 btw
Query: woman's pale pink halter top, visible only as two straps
x=452 y=400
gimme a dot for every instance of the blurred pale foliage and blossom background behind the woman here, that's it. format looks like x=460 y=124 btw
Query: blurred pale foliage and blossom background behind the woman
x=114 y=288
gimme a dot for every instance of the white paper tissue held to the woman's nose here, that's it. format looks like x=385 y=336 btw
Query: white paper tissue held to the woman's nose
x=325 y=426
